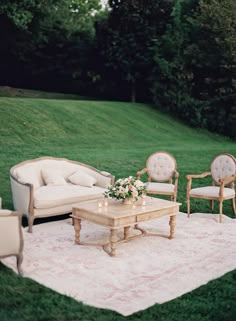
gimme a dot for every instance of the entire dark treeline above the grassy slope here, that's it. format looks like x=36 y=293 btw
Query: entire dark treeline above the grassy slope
x=178 y=54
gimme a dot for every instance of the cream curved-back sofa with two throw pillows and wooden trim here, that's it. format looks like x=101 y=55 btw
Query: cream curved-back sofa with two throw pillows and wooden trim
x=49 y=186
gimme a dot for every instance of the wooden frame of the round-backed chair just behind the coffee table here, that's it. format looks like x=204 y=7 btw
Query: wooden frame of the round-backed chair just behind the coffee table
x=174 y=176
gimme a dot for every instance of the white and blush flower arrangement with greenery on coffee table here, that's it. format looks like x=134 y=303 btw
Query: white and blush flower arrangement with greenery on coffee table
x=126 y=188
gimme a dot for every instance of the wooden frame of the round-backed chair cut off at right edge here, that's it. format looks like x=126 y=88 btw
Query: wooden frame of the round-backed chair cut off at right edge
x=222 y=182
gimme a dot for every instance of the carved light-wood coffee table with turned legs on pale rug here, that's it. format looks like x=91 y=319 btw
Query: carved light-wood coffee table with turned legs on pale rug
x=117 y=215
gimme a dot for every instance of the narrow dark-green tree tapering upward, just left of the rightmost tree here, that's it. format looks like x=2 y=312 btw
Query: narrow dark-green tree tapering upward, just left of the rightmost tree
x=171 y=79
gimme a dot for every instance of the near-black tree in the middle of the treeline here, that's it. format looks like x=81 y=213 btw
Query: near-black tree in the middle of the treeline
x=126 y=39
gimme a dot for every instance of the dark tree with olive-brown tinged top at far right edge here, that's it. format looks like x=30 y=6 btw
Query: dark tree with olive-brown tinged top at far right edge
x=212 y=57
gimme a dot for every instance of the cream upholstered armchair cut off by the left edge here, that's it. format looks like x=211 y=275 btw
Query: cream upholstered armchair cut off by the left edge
x=11 y=236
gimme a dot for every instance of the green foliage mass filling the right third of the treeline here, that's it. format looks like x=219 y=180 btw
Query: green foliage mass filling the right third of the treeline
x=193 y=75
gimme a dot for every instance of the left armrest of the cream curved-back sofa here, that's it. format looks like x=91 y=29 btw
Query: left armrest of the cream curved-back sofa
x=22 y=194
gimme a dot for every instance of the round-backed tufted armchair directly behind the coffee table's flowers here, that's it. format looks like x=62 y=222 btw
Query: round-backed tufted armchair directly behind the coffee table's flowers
x=162 y=174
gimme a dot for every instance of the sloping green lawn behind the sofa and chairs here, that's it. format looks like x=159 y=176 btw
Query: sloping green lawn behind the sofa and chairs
x=113 y=136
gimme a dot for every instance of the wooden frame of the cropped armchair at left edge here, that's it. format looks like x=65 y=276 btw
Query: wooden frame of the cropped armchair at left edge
x=18 y=253
